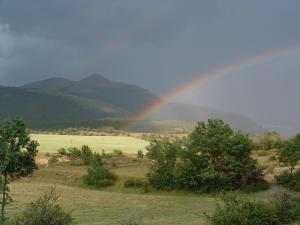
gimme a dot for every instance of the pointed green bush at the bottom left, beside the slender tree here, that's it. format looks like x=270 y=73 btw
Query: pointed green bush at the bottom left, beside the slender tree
x=44 y=211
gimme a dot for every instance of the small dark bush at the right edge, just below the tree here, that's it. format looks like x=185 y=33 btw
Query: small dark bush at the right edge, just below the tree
x=289 y=180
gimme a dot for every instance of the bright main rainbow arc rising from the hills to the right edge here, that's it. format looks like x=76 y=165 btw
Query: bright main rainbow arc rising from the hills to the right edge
x=220 y=71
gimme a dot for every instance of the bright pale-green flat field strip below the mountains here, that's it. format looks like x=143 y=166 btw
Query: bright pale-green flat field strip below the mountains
x=51 y=143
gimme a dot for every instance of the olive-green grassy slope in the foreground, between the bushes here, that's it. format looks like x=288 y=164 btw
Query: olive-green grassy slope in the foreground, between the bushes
x=107 y=206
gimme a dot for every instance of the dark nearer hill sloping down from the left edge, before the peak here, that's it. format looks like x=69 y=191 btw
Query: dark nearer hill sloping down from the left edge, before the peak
x=39 y=108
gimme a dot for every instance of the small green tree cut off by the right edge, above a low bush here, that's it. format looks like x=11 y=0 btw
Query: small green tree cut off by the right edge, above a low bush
x=290 y=153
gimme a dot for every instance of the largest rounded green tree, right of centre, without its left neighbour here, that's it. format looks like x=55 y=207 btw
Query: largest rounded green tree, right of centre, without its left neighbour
x=217 y=158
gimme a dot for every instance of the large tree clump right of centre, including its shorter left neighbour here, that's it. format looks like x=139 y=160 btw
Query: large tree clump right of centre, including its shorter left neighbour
x=212 y=158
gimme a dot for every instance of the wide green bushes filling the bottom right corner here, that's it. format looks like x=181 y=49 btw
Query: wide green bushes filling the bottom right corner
x=283 y=210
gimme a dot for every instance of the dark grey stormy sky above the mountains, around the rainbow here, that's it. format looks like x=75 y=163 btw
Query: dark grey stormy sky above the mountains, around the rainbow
x=160 y=45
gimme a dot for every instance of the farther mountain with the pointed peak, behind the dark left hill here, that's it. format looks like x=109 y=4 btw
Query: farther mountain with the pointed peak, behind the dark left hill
x=128 y=97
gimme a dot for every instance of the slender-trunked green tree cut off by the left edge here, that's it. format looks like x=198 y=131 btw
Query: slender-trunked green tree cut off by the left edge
x=17 y=156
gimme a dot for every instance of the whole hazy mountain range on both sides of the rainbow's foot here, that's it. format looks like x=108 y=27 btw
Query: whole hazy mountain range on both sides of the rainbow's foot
x=96 y=100
